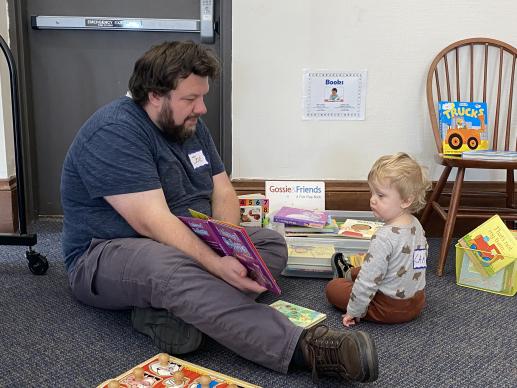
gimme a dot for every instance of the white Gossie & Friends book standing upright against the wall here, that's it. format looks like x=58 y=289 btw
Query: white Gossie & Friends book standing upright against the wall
x=300 y=194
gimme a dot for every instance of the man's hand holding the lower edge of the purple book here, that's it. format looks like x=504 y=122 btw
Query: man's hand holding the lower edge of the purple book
x=234 y=273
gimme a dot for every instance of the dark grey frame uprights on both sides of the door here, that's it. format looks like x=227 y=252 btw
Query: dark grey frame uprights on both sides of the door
x=19 y=25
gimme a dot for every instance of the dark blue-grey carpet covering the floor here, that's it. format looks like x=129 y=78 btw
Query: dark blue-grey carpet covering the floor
x=465 y=338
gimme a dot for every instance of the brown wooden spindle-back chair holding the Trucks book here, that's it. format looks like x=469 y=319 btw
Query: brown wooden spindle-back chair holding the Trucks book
x=477 y=69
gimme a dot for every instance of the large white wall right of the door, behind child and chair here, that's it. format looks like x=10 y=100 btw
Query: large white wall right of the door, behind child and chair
x=395 y=41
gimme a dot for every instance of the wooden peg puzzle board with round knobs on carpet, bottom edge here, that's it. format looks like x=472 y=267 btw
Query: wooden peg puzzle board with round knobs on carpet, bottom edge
x=163 y=370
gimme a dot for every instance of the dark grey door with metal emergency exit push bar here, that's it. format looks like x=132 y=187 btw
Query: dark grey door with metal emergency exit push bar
x=70 y=73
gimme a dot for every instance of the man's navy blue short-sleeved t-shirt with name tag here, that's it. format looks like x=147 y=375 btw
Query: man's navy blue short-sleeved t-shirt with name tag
x=120 y=150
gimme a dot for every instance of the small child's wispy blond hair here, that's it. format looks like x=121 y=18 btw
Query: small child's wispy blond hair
x=405 y=174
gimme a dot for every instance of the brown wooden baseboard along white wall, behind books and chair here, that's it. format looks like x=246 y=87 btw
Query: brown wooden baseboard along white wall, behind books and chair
x=355 y=195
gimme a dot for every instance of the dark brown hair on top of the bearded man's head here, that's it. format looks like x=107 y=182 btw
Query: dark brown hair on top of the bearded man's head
x=162 y=66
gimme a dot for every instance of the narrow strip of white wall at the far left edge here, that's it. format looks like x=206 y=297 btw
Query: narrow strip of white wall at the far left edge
x=7 y=165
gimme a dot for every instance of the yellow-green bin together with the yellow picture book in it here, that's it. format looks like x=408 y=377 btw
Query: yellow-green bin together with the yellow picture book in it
x=486 y=258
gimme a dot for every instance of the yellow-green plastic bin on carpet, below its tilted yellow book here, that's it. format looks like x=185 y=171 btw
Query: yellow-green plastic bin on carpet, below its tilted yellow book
x=503 y=282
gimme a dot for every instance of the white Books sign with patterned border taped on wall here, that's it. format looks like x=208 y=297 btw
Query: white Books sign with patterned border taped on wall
x=334 y=95
